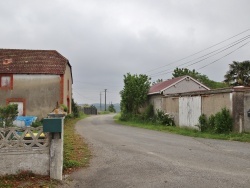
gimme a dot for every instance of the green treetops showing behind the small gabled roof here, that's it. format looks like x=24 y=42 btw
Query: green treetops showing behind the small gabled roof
x=198 y=76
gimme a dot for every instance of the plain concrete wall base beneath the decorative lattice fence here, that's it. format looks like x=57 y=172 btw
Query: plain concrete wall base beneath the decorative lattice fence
x=12 y=162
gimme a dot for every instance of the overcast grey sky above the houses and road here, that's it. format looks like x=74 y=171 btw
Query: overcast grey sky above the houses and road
x=106 y=39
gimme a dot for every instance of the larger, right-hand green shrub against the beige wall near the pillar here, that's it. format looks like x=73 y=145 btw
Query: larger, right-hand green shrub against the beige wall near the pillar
x=223 y=122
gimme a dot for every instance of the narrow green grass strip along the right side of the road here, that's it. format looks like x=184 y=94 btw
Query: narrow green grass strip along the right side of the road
x=242 y=137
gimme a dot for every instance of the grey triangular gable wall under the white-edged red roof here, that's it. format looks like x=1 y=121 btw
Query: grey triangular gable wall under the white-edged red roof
x=184 y=86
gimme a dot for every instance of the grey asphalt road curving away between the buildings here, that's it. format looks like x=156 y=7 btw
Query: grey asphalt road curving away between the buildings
x=132 y=157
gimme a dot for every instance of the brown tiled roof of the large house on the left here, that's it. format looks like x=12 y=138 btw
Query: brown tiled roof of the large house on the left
x=20 y=61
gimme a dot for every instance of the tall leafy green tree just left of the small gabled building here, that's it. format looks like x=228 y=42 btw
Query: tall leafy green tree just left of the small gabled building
x=134 y=93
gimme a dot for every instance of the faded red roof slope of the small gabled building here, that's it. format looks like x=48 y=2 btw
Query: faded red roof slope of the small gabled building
x=157 y=88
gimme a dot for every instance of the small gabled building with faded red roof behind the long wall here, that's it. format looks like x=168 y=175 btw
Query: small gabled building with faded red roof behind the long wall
x=173 y=86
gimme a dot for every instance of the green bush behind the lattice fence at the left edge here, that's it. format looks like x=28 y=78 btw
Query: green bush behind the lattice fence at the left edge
x=8 y=114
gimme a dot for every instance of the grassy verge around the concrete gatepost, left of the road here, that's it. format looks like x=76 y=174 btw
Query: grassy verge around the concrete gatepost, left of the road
x=76 y=155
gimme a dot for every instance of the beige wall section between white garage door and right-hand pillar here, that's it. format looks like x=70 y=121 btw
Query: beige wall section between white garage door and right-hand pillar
x=213 y=103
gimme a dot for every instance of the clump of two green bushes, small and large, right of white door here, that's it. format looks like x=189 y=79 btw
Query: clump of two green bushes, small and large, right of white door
x=221 y=122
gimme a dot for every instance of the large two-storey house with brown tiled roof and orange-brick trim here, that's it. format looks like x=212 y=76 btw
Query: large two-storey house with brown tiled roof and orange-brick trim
x=36 y=80
